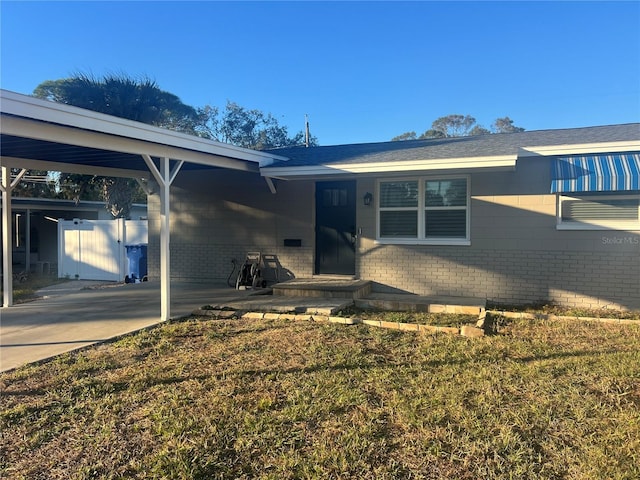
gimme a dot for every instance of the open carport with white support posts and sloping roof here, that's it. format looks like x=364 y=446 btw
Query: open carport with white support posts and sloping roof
x=43 y=135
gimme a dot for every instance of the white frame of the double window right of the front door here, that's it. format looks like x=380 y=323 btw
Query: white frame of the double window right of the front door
x=420 y=212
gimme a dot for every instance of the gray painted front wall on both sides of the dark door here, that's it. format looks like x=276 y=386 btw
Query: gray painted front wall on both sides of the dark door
x=516 y=254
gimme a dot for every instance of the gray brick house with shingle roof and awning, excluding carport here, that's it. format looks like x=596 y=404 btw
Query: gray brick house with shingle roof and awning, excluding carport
x=540 y=216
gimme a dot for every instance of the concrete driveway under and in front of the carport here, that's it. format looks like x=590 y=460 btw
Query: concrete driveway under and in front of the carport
x=75 y=314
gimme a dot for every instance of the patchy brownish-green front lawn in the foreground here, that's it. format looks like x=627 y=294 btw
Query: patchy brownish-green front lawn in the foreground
x=244 y=399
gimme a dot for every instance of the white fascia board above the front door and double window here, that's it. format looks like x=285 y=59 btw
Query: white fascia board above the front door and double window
x=492 y=162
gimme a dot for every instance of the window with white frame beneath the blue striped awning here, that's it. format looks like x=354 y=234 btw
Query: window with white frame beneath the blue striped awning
x=599 y=211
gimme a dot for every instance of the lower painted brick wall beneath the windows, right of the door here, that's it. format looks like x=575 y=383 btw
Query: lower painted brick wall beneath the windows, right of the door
x=583 y=279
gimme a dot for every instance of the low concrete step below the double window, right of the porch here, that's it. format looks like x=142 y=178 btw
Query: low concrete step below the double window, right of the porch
x=416 y=303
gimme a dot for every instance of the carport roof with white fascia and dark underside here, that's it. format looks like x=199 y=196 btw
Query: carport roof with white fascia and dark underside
x=40 y=134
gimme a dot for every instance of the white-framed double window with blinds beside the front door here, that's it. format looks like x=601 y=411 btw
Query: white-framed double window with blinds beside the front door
x=425 y=210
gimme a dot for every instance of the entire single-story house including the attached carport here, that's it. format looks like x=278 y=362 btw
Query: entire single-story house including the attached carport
x=513 y=218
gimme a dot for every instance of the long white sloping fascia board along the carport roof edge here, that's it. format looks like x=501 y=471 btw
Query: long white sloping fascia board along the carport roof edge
x=51 y=112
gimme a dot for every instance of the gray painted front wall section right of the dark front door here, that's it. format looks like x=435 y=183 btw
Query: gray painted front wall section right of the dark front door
x=516 y=254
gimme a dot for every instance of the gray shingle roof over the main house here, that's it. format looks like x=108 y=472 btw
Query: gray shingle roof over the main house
x=460 y=147
